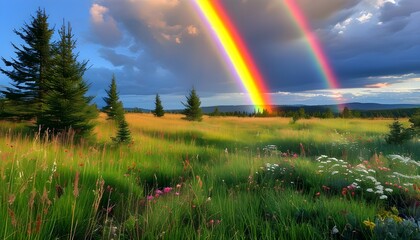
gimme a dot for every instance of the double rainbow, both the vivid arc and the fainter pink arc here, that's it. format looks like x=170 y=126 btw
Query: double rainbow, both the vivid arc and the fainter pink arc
x=240 y=59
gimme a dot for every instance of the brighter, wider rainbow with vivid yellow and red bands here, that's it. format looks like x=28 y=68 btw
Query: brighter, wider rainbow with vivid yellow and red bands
x=236 y=52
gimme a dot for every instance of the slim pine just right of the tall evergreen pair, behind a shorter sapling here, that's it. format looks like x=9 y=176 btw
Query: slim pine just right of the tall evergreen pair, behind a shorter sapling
x=113 y=104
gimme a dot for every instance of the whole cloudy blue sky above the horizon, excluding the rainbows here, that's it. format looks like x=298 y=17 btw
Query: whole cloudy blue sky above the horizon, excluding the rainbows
x=165 y=47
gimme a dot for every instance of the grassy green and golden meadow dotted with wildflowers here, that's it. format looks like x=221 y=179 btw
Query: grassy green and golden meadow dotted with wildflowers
x=222 y=178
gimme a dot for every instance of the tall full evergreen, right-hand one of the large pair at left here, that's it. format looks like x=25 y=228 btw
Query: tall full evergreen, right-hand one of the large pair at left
x=67 y=106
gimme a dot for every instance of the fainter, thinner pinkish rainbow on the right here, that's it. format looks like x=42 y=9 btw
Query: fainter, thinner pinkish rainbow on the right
x=313 y=44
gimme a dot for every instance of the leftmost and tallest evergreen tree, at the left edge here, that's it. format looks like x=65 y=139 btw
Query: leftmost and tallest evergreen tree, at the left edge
x=29 y=73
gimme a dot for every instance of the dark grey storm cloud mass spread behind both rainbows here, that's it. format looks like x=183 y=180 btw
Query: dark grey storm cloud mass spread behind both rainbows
x=168 y=47
